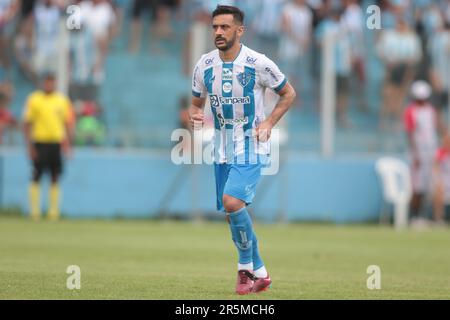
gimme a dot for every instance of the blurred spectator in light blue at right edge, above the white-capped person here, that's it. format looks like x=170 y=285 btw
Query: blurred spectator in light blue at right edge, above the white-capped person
x=439 y=52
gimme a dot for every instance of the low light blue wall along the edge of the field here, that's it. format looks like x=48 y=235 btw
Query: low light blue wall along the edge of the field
x=113 y=183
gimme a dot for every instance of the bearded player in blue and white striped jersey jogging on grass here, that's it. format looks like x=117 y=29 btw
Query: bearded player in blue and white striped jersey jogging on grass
x=235 y=79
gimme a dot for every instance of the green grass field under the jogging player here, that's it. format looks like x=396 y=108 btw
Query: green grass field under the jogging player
x=185 y=260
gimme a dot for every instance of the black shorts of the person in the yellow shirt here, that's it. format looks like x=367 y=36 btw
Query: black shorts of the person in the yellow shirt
x=49 y=158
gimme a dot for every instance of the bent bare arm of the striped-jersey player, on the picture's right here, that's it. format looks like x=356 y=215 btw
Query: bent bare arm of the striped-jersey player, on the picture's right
x=287 y=95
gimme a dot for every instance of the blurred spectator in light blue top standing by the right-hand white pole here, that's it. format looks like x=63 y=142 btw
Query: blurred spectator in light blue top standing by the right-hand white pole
x=342 y=60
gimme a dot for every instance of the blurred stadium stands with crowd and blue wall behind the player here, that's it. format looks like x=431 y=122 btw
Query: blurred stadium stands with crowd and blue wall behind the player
x=127 y=71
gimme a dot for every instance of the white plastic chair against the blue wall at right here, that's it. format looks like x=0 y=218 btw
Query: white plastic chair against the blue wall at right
x=397 y=189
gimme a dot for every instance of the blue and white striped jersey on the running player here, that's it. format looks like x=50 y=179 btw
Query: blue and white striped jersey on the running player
x=236 y=94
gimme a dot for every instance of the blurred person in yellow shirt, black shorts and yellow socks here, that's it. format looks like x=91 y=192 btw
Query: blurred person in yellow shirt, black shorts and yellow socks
x=48 y=119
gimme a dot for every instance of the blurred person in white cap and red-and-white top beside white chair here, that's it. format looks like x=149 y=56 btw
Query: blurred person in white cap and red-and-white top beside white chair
x=422 y=126
